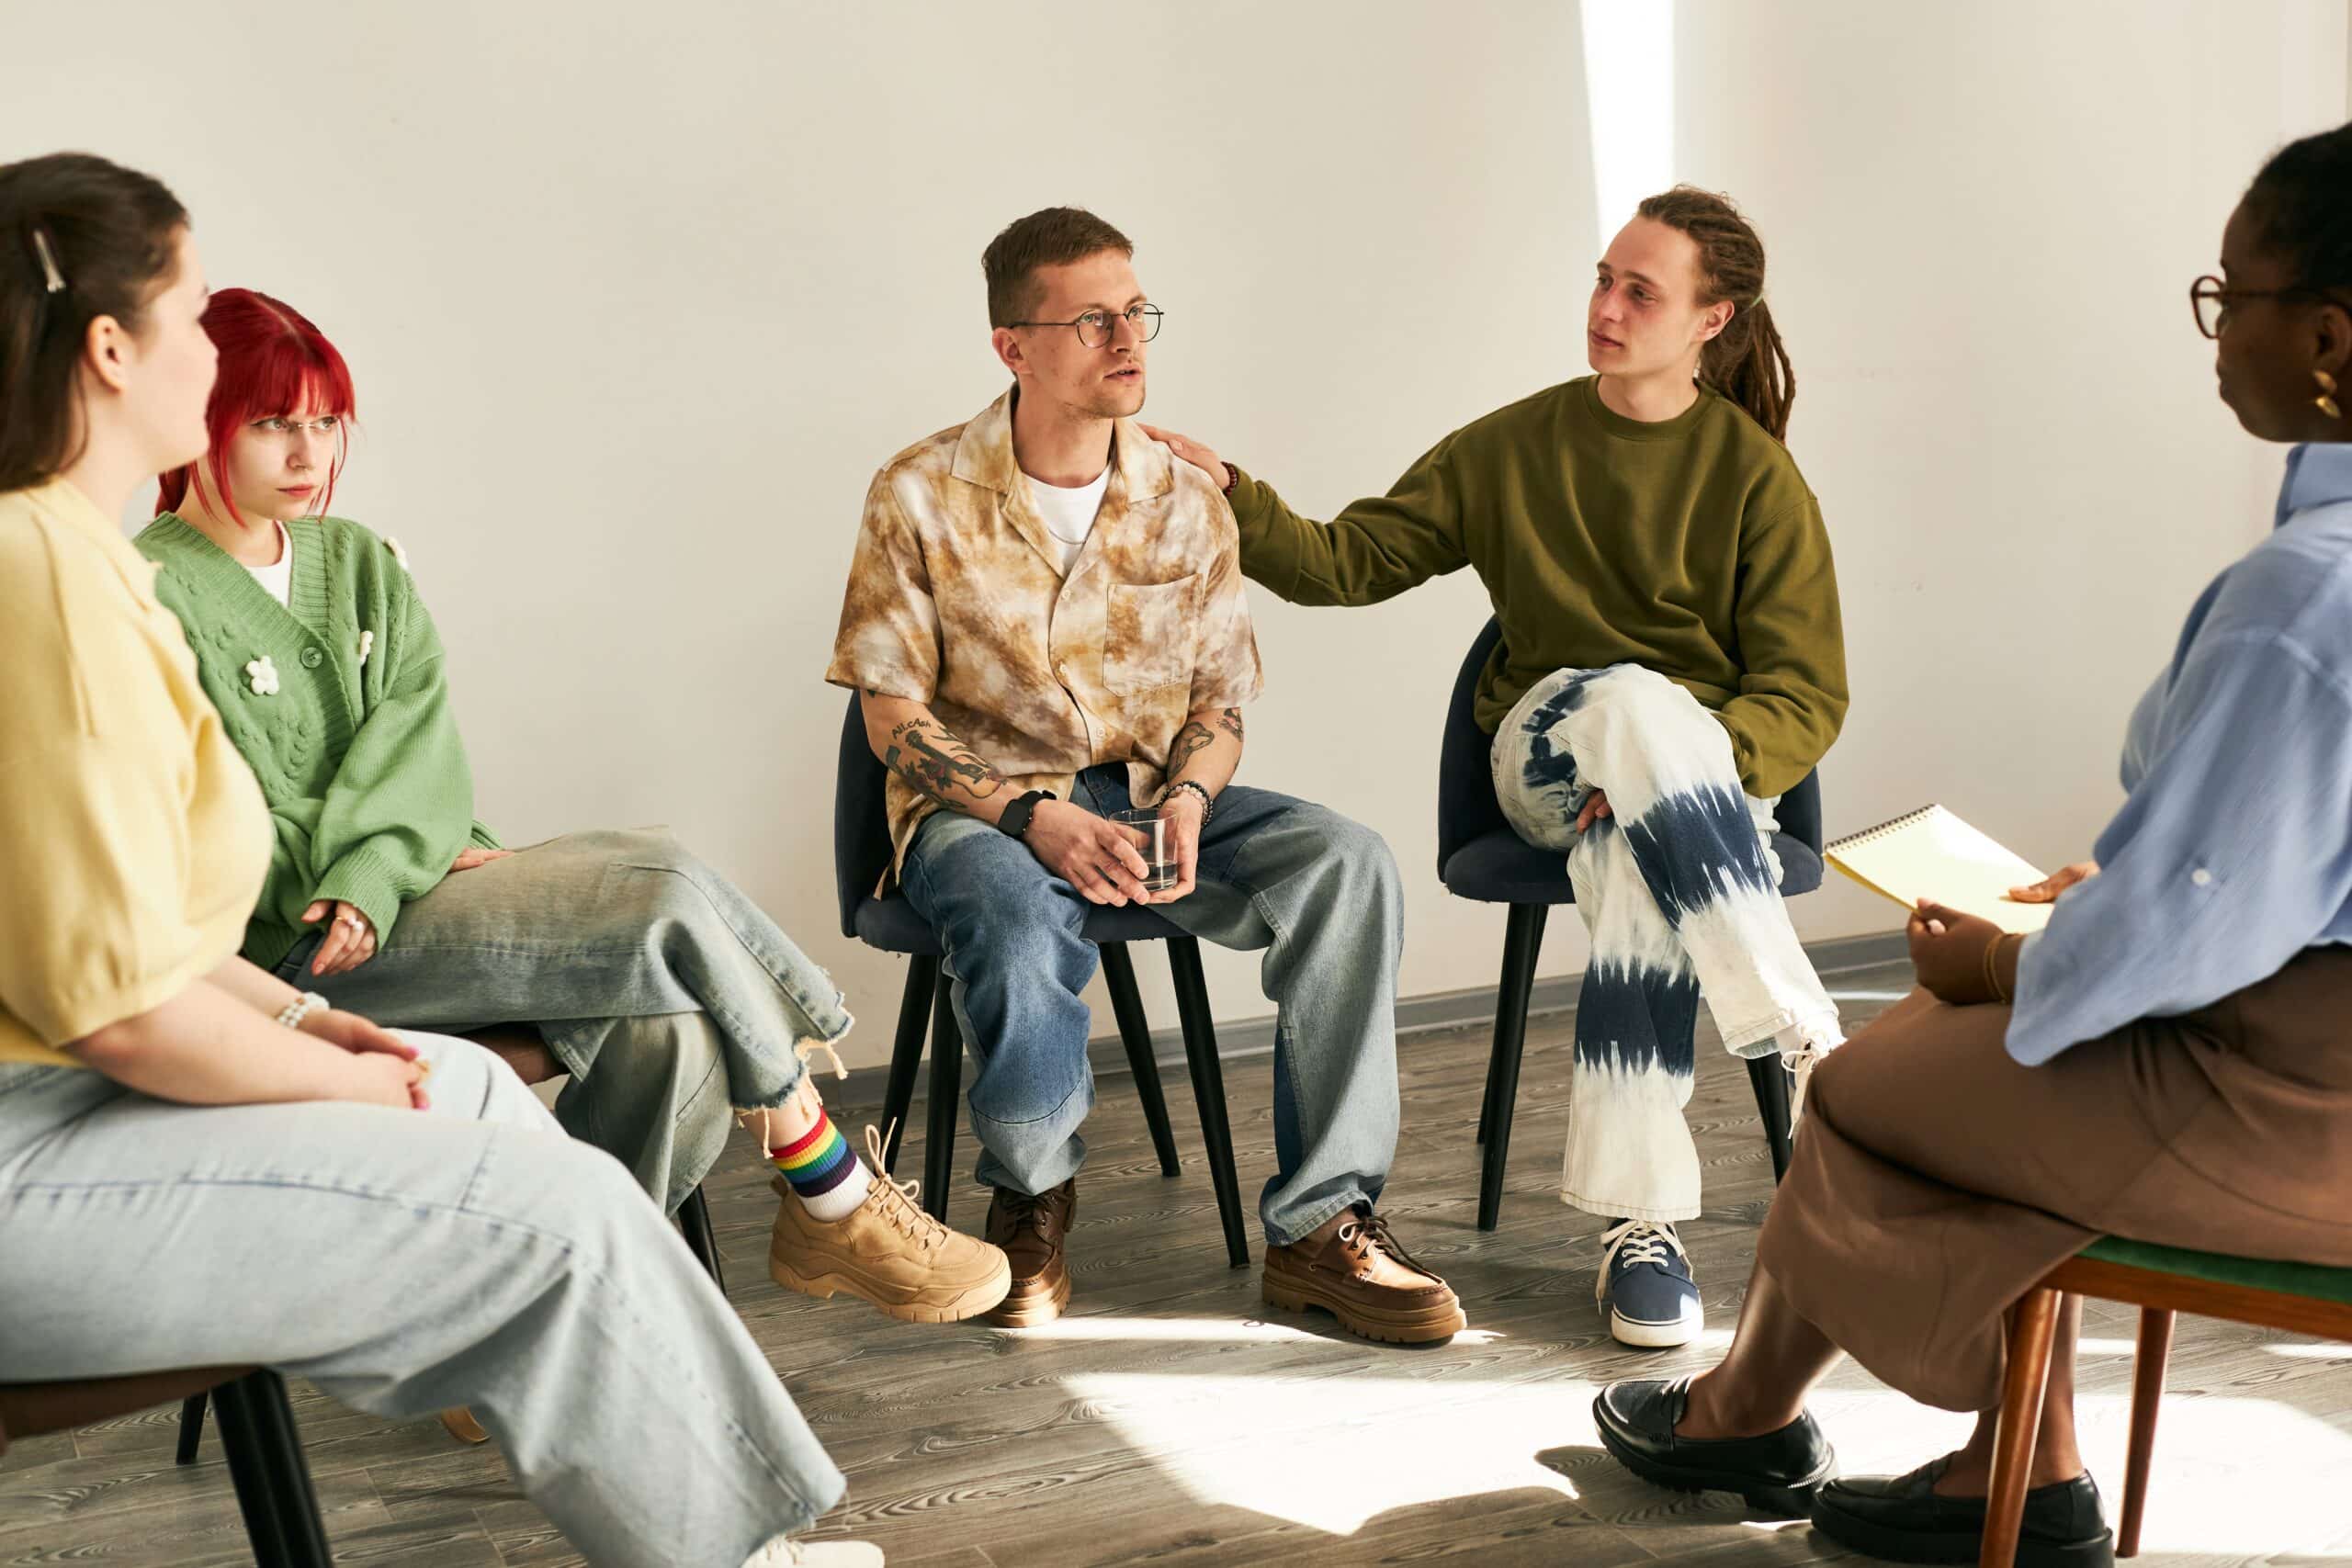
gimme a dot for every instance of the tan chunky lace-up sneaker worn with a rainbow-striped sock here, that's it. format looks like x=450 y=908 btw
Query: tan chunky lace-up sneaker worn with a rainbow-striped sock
x=886 y=1252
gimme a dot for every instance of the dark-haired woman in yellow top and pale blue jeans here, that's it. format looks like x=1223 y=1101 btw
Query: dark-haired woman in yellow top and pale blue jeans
x=171 y=1113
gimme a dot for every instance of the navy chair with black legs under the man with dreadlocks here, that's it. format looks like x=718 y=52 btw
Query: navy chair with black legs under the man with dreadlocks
x=1481 y=857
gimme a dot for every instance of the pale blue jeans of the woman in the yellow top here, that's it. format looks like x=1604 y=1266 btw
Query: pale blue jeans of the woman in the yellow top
x=408 y=1264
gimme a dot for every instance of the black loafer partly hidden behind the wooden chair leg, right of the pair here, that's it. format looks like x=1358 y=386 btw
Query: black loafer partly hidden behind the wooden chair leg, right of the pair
x=1904 y=1522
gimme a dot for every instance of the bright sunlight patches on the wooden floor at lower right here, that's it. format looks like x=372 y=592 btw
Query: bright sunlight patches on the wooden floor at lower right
x=1330 y=1449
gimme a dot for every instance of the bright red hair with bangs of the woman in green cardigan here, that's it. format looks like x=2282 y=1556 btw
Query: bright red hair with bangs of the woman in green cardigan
x=274 y=363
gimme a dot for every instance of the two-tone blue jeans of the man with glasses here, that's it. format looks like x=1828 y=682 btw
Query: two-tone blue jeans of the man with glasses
x=1302 y=883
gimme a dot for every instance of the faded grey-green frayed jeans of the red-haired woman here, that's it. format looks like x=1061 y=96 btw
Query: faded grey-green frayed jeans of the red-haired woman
x=664 y=991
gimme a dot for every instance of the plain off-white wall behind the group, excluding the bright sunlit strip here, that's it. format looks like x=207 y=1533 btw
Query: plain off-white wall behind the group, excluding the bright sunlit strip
x=639 y=297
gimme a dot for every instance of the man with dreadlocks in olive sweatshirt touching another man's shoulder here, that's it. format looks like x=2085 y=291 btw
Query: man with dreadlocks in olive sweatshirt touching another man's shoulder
x=1671 y=664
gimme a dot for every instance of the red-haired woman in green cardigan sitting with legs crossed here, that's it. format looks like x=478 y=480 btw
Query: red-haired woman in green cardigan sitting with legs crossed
x=664 y=993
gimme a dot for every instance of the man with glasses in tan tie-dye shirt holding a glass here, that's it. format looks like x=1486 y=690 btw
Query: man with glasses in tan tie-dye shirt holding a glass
x=1048 y=626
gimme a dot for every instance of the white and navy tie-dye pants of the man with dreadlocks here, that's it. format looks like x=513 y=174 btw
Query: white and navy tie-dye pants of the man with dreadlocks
x=1683 y=897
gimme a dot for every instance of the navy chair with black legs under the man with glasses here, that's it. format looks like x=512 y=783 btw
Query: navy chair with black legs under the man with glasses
x=893 y=925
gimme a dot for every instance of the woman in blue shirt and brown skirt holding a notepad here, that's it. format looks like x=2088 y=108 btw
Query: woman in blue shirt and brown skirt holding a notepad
x=2170 y=1061
